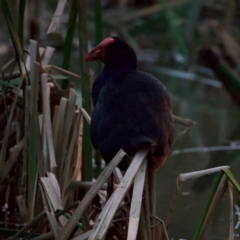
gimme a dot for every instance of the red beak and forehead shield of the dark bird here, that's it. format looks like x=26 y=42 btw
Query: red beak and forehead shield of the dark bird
x=98 y=52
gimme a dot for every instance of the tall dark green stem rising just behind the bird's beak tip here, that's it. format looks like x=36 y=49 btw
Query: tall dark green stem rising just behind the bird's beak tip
x=87 y=148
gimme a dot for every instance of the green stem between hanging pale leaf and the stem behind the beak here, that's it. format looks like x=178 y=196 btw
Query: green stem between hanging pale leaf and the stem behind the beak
x=68 y=40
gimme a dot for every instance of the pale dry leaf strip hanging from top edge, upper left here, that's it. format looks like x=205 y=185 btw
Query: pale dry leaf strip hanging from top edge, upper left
x=57 y=16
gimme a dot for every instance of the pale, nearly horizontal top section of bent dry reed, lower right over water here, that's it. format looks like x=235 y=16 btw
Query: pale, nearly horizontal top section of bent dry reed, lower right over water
x=191 y=175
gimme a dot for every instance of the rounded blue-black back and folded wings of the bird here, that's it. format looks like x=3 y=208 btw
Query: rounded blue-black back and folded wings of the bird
x=132 y=112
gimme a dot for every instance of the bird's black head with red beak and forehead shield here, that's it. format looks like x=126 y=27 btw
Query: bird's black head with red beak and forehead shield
x=113 y=52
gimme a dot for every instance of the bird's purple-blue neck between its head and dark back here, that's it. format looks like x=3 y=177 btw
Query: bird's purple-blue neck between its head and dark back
x=105 y=76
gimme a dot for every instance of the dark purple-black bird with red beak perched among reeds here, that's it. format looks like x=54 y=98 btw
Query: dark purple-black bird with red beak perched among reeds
x=132 y=109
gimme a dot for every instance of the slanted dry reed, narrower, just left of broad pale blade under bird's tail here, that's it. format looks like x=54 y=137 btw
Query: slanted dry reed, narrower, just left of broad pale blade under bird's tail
x=67 y=229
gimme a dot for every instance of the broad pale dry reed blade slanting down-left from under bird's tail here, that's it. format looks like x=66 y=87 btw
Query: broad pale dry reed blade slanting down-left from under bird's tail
x=103 y=222
